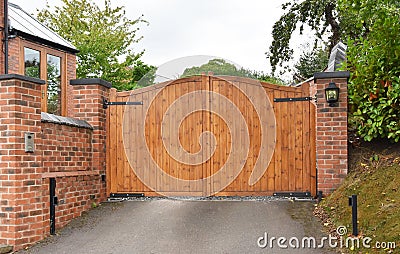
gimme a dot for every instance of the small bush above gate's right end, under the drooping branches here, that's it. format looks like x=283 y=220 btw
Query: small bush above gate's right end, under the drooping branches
x=310 y=63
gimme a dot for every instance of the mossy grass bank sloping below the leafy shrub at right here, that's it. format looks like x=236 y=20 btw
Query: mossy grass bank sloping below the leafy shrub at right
x=375 y=178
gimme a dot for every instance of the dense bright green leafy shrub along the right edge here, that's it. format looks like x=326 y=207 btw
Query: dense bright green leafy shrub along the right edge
x=373 y=59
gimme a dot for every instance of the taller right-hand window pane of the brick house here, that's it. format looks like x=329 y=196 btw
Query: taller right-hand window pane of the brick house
x=53 y=85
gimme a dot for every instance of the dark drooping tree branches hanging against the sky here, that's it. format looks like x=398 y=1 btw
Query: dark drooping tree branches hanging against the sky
x=320 y=15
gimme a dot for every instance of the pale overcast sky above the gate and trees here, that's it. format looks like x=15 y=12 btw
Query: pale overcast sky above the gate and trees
x=237 y=30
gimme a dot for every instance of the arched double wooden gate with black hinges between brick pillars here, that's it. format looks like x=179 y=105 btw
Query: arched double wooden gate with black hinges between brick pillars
x=207 y=135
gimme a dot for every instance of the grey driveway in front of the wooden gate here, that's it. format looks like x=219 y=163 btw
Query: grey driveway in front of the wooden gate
x=183 y=226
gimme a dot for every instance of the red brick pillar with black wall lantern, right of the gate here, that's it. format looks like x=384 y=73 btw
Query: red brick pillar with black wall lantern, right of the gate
x=331 y=132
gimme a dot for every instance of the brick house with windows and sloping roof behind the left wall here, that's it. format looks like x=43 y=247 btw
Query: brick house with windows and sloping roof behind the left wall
x=36 y=51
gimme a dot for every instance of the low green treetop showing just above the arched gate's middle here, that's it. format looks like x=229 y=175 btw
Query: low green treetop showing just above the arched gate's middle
x=221 y=67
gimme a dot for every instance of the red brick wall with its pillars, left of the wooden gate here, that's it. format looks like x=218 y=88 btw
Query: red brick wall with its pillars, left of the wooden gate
x=72 y=152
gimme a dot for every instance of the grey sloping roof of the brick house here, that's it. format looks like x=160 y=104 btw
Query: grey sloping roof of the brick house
x=24 y=25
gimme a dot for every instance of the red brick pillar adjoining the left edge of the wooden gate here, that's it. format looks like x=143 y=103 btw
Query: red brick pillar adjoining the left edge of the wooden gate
x=88 y=105
